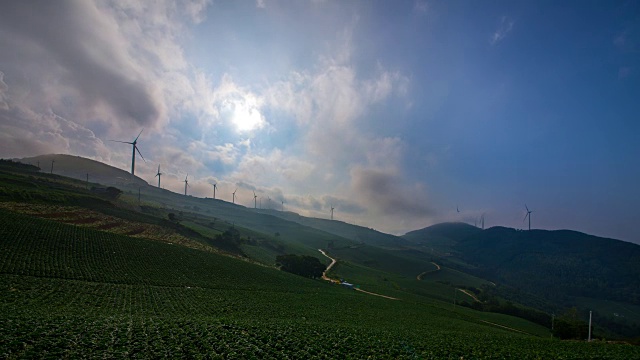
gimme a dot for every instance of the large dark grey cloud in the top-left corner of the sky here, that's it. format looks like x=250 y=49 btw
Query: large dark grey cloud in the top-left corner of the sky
x=80 y=50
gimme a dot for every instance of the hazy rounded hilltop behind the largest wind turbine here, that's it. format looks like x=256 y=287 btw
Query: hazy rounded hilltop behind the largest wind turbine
x=78 y=167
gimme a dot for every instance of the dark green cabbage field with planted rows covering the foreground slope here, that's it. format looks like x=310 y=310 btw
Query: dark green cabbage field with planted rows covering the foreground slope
x=75 y=292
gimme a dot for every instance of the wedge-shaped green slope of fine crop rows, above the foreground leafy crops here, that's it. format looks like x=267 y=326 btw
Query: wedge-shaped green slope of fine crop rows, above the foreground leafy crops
x=37 y=247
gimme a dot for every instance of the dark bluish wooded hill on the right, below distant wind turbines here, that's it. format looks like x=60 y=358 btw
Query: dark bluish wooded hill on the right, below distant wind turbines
x=548 y=270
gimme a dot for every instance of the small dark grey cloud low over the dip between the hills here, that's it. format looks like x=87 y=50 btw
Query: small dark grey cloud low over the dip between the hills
x=382 y=191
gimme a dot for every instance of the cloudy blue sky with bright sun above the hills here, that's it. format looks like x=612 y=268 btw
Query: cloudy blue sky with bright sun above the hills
x=399 y=114
